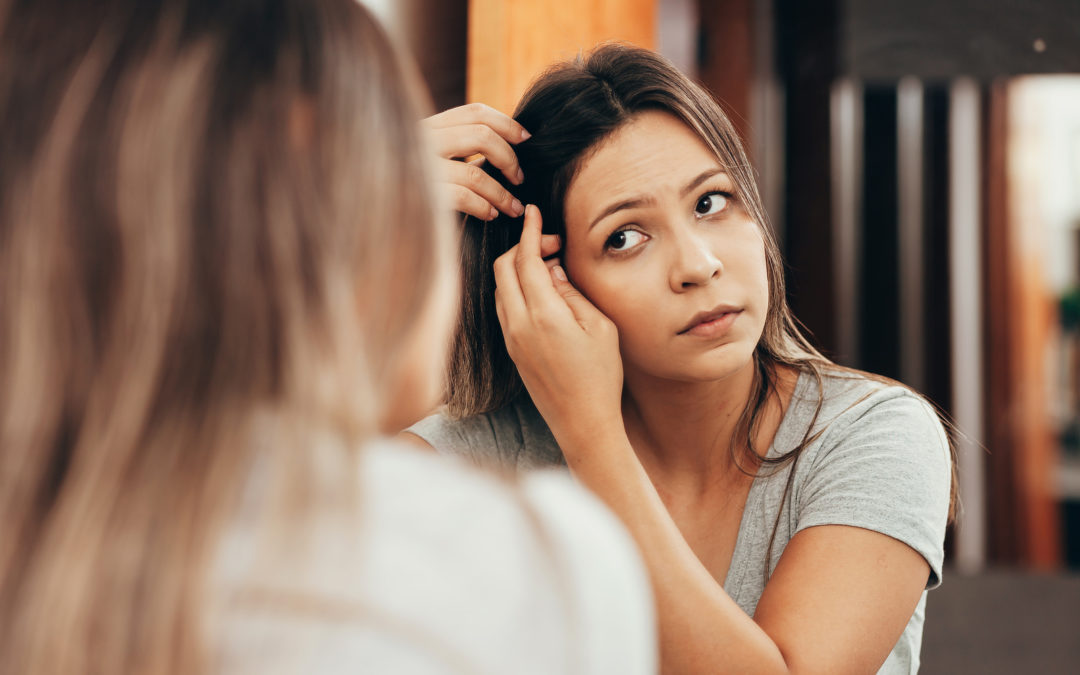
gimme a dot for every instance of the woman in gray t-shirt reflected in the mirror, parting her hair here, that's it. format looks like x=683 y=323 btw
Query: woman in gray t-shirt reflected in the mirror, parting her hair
x=791 y=512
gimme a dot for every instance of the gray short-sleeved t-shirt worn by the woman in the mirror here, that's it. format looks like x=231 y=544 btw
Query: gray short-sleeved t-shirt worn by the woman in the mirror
x=883 y=464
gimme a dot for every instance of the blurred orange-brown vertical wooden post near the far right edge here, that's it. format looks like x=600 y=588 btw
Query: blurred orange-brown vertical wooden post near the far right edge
x=1022 y=317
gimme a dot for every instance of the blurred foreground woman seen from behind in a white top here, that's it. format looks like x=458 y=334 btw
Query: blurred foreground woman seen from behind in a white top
x=223 y=275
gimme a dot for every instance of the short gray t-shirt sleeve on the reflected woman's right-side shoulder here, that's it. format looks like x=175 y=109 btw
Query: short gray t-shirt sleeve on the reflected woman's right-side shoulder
x=888 y=470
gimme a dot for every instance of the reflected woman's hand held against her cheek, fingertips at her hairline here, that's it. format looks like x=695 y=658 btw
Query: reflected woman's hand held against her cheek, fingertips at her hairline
x=565 y=349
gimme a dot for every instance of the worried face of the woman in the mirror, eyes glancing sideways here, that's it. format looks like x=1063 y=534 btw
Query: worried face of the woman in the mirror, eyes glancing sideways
x=657 y=241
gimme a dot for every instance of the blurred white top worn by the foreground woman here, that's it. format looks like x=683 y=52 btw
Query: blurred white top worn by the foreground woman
x=438 y=569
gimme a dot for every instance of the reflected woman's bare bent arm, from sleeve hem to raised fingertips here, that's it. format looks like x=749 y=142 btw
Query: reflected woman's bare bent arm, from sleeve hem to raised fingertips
x=841 y=597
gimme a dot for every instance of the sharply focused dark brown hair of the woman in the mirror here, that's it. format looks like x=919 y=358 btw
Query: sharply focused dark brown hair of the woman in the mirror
x=570 y=111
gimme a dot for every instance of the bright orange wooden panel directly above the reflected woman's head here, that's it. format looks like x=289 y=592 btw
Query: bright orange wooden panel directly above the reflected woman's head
x=512 y=42
